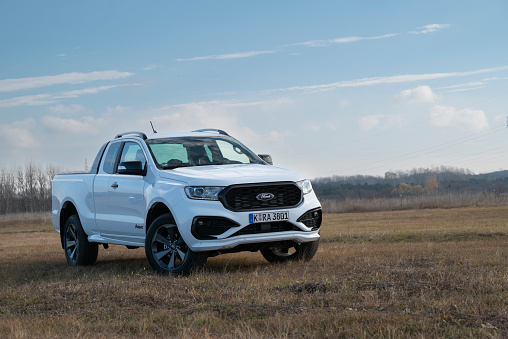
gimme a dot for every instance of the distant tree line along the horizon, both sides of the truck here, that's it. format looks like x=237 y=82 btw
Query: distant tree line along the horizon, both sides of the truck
x=27 y=188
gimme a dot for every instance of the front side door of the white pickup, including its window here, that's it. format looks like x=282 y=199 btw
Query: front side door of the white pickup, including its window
x=126 y=199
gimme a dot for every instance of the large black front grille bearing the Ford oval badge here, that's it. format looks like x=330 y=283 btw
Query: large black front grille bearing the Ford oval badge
x=243 y=197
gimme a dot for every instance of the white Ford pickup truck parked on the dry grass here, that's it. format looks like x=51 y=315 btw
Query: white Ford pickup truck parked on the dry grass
x=185 y=197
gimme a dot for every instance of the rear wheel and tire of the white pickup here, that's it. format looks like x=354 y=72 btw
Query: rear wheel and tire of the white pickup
x=78 y=250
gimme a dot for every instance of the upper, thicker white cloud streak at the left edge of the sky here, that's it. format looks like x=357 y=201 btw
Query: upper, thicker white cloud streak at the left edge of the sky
x=10 y=85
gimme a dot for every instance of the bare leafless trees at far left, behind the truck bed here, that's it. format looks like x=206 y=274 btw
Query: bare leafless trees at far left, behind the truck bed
x=26 y=189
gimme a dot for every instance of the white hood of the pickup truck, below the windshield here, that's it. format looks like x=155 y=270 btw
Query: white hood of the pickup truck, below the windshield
x=225 y=175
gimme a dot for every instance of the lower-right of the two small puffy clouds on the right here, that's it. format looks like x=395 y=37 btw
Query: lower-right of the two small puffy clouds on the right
x=446 y=116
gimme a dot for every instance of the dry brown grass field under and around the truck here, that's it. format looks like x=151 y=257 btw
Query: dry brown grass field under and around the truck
x=414 y=273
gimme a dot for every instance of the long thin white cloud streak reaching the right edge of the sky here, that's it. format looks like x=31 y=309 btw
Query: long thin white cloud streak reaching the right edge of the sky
x=391 y=79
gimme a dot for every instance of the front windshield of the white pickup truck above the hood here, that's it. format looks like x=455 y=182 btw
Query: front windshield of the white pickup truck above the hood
x=199 y=151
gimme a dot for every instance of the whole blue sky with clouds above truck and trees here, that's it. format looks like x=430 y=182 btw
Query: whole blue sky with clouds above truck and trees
x=326 y=87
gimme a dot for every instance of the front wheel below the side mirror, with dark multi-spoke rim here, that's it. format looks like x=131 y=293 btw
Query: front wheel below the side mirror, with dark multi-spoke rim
x=166 y=250
